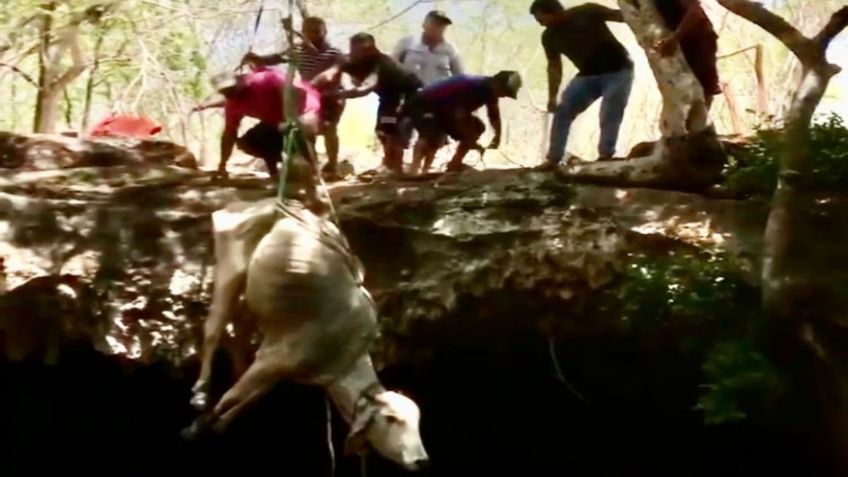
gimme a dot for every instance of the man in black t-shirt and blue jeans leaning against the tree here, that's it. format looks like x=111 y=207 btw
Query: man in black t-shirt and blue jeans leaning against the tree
x=605 y=71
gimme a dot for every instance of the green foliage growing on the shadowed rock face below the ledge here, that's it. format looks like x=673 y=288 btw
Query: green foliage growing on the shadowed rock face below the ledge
x=706 y=307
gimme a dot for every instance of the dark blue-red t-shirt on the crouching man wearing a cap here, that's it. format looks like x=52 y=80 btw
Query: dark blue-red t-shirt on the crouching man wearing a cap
x=465 y=92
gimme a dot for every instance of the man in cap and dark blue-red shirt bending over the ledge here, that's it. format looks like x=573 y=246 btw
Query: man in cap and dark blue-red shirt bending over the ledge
x=447 y=108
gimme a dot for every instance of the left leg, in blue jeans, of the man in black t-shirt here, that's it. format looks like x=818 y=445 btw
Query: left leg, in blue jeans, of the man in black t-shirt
x=580 y=93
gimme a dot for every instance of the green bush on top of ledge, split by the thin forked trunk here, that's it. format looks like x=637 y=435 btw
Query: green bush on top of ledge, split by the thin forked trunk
x=755 y=169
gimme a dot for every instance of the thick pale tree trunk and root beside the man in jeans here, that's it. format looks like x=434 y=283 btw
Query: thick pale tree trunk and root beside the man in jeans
x=689 y=155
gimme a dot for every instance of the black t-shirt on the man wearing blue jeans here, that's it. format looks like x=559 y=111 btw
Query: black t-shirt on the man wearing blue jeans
x=584 y=38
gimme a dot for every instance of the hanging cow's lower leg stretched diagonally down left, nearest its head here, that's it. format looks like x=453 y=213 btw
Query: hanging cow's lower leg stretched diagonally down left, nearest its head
x=269 y=368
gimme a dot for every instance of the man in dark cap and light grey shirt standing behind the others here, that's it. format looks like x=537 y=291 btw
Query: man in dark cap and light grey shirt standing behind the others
x=429 y=55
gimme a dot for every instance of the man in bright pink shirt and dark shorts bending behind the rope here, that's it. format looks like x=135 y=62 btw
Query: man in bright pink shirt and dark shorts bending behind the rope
x=260 y=95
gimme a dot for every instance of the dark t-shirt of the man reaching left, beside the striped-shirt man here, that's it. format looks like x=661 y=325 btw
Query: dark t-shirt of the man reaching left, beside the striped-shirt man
x=393 y=80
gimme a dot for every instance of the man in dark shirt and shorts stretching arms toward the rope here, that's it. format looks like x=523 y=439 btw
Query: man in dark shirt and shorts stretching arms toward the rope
x=375 y=72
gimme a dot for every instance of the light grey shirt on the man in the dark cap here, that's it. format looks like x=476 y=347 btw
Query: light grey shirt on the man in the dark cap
x=431 y=65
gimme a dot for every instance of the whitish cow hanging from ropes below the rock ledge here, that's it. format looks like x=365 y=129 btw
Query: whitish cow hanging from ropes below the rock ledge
x=293 y=272
